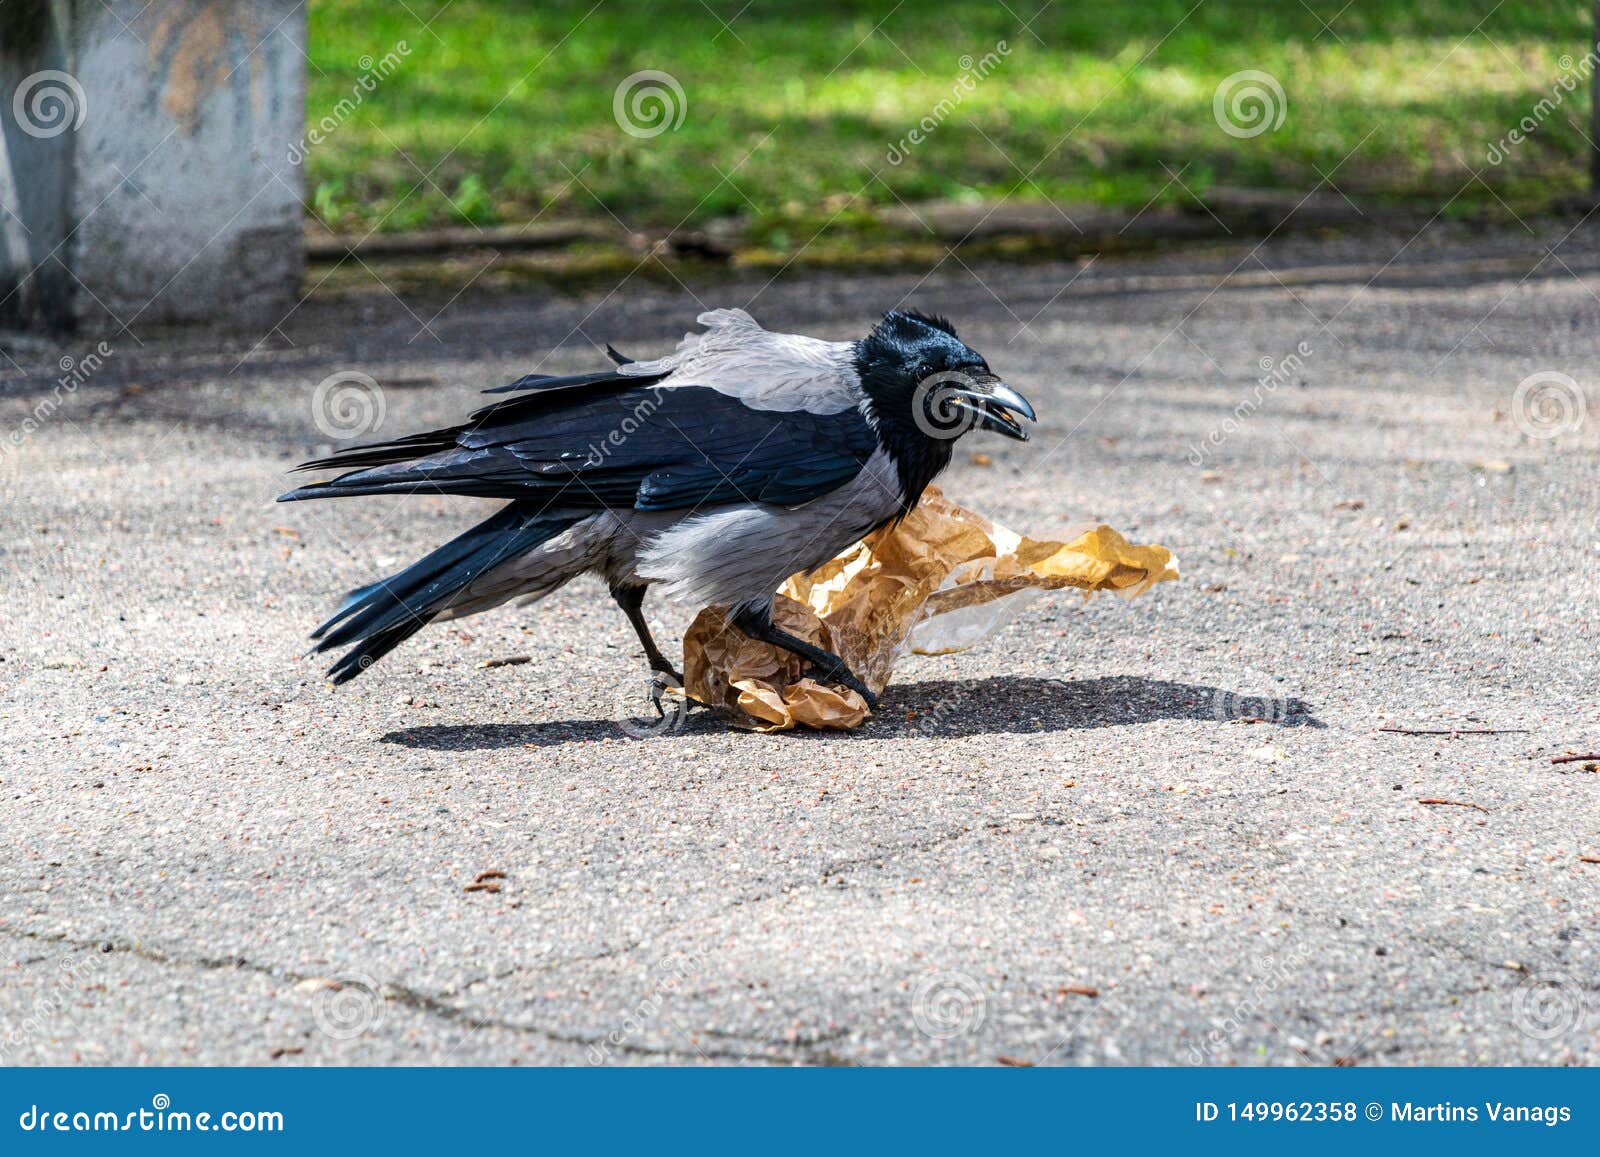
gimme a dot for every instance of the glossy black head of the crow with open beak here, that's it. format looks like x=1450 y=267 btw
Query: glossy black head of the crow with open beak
x=927 y=388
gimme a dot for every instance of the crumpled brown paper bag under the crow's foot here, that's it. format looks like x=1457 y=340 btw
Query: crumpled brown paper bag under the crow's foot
x=934 y=585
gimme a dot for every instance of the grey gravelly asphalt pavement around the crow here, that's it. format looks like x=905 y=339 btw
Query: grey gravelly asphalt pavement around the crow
x=1170 y=831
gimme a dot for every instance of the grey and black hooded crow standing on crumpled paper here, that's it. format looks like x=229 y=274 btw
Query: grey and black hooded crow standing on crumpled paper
x=719 y=471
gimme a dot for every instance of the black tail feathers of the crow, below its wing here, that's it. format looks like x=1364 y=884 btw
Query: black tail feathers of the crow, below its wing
x=383 y=615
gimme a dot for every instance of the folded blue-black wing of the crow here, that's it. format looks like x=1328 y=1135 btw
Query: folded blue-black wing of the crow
x=615 y=442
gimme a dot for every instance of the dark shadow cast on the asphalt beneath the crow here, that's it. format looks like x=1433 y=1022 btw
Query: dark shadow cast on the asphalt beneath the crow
x=935 y=710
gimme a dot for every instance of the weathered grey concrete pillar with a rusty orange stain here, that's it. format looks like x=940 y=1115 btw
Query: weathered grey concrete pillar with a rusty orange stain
x=145 y=162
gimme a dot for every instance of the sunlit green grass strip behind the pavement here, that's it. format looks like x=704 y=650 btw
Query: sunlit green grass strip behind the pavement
x=503 y=110
